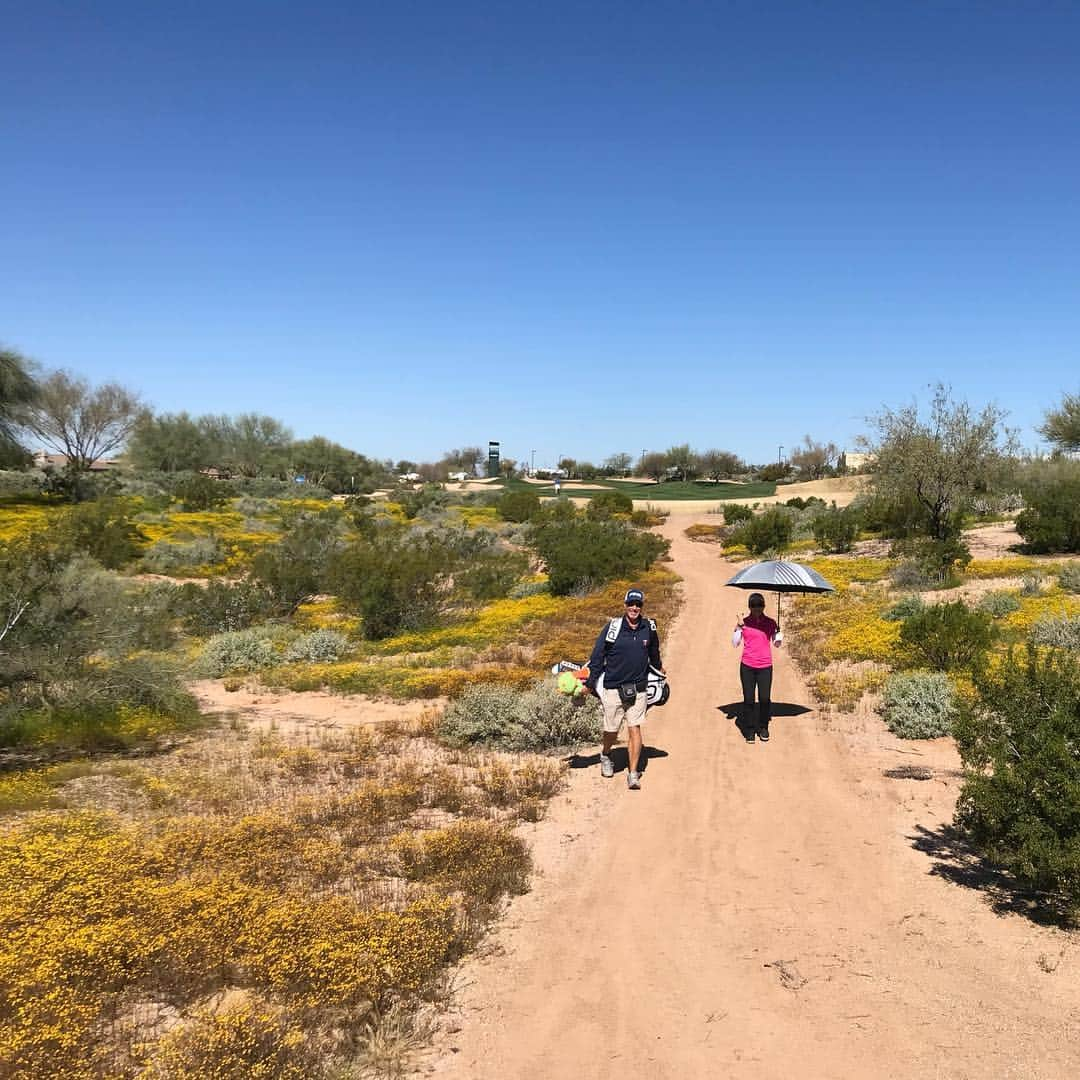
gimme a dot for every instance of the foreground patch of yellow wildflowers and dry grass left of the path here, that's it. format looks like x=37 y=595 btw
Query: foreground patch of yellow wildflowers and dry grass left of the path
x=328 y=879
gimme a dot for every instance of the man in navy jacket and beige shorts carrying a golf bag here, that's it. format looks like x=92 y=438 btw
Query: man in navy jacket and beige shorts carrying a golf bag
x=625 y=651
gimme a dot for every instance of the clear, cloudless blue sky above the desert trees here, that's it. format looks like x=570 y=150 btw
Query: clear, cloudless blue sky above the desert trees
x=577 y=228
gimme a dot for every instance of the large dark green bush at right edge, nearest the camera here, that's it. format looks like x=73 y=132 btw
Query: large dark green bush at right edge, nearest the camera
x=1021 y=798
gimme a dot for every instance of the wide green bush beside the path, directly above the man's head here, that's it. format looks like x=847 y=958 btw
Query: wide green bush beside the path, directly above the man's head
x=583 y=555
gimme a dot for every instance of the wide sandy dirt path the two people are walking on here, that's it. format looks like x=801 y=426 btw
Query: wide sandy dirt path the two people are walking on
x=760 y=911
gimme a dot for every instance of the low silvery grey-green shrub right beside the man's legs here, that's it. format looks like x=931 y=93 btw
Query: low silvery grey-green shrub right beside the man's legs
x=538 y=719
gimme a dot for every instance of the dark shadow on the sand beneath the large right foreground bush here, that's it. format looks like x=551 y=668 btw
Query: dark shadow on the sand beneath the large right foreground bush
x=956 y=860
